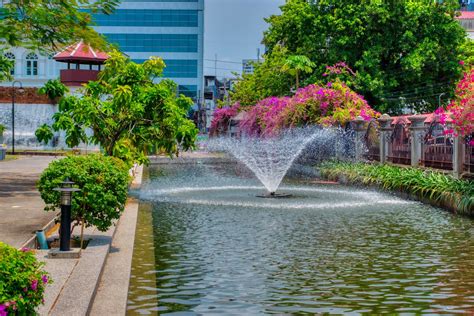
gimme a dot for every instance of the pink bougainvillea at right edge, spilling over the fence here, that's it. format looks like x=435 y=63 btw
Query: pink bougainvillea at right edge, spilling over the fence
x=462 y=108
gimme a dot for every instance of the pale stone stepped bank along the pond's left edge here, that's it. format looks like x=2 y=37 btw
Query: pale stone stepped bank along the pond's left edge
x=98 y=280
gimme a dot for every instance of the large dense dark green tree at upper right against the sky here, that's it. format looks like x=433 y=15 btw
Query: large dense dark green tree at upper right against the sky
x=408 y=49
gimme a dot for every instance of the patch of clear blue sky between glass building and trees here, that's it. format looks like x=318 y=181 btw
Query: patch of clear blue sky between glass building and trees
x=233 y=29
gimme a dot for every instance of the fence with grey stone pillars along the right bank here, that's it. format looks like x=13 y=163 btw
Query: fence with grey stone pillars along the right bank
x=419 y=140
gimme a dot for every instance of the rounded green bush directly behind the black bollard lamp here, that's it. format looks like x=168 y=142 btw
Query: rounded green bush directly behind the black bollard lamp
x=103 y=182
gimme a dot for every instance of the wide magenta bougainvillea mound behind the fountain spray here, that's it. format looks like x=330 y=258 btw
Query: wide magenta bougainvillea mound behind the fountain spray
x=334 y=104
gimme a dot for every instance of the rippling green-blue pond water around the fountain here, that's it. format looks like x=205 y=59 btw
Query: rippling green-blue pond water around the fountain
x=206 y=244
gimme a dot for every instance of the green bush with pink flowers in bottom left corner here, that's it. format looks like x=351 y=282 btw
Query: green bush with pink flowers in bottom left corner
x=22 y=281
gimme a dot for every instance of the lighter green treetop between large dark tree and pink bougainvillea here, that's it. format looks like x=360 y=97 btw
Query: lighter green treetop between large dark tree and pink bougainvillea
x=267 y=80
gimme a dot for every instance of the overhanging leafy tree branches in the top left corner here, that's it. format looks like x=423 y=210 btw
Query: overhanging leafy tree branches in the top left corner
x=47 y=25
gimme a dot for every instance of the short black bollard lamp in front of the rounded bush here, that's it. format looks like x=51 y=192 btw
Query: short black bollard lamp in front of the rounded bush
x=66 y=190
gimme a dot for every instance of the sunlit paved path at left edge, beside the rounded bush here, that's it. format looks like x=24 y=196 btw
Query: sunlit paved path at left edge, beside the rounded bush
x=21 y=207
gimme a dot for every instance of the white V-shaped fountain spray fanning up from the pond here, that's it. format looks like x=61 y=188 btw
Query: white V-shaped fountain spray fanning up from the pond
x=270 y=158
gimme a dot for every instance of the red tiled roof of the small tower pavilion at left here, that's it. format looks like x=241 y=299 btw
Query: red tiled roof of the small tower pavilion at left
x=81 y=52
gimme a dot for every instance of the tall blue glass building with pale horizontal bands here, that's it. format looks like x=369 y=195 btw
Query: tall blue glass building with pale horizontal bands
x=170 y=29
